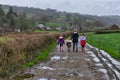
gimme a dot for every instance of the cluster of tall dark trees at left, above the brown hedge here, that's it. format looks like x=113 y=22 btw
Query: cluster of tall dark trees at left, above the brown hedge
x=11 y=21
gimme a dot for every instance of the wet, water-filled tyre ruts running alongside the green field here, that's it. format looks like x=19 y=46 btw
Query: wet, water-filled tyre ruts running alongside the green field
x=112 y=68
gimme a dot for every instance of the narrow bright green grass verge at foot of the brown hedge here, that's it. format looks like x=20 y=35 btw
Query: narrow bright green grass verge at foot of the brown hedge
x=42 y=56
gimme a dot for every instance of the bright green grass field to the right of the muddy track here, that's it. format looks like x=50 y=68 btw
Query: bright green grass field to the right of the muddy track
x=108 y=42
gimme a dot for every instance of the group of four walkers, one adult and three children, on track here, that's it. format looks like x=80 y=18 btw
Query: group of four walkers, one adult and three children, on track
x=75 y=40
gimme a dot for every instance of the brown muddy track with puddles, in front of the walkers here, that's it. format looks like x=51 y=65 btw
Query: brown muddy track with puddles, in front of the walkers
x=66 y=66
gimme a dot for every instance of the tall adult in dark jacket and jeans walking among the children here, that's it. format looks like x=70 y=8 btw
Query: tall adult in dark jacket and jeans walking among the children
x=74 y=39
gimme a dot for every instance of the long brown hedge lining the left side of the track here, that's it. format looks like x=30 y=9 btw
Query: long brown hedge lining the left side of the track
x=18 y=49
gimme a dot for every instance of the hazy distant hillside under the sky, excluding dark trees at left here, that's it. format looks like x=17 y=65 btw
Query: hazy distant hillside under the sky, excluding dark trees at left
x=51 y=15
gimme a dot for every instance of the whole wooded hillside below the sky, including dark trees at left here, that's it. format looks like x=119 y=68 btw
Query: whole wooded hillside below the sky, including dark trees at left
x=25 y=18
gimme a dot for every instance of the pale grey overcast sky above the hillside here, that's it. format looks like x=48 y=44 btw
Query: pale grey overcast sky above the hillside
x=92 y=7
